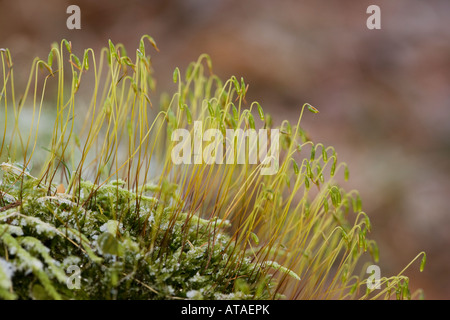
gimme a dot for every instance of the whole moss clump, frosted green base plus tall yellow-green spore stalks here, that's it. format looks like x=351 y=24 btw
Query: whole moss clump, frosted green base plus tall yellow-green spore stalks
x=163 y=228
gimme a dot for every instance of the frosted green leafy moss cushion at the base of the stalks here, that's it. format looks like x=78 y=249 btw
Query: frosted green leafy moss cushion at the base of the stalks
x=111 y=235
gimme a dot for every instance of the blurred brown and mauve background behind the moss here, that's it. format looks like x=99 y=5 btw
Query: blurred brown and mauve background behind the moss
x=383 y=95
